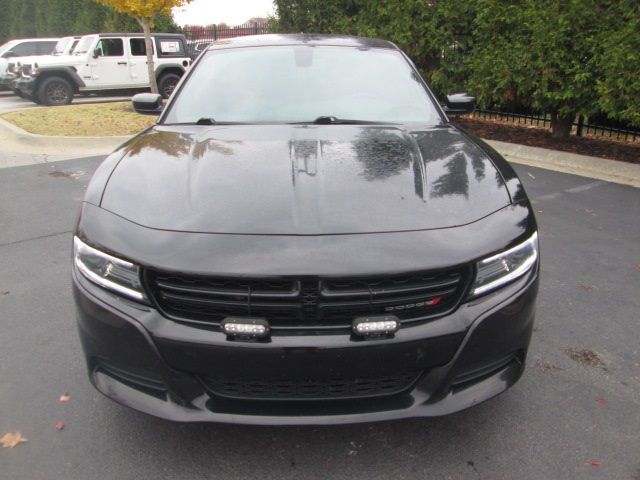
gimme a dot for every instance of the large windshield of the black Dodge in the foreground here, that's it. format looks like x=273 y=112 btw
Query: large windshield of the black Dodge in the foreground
x=298 y=84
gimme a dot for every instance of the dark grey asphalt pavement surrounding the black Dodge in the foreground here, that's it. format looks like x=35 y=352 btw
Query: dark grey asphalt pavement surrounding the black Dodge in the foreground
x=574 y=415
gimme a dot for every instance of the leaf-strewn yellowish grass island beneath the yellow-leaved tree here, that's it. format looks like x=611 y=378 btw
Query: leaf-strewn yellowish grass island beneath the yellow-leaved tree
x=94 y=120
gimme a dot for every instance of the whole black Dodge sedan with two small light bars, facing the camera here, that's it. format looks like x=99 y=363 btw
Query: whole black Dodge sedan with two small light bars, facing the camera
x=304 y=238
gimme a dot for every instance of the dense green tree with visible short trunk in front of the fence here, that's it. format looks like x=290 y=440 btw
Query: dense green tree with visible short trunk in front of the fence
x=540 y=53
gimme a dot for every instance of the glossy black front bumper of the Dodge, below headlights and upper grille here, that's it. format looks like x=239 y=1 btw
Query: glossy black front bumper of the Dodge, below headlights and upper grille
x=143 y=360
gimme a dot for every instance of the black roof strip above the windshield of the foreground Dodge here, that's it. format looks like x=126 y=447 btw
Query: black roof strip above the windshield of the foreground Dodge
x=301 y=39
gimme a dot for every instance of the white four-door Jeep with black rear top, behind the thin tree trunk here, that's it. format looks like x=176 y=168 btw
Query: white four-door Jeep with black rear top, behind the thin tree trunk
x=105 y=63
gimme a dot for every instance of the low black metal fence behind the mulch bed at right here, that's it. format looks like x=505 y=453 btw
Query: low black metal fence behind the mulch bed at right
x=580 y=127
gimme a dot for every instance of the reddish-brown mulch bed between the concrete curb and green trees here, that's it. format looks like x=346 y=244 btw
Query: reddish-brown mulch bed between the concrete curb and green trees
x=541 y=137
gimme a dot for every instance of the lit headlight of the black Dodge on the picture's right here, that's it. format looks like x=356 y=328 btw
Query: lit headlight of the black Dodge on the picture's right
x=500 y=269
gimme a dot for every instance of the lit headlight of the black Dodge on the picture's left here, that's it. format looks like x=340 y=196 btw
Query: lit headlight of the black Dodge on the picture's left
x=109 y=272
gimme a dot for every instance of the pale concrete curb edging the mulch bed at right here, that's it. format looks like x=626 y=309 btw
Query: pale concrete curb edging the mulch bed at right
x=565 y=162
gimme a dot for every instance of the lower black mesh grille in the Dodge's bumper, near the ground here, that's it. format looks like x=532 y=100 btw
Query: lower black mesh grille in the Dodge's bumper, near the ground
x=311 y=389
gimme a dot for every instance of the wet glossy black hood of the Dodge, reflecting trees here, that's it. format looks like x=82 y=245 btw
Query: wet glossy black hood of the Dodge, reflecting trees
x=303 y=180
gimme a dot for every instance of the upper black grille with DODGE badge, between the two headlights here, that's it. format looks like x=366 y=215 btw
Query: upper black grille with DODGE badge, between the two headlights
x=304 y=304
